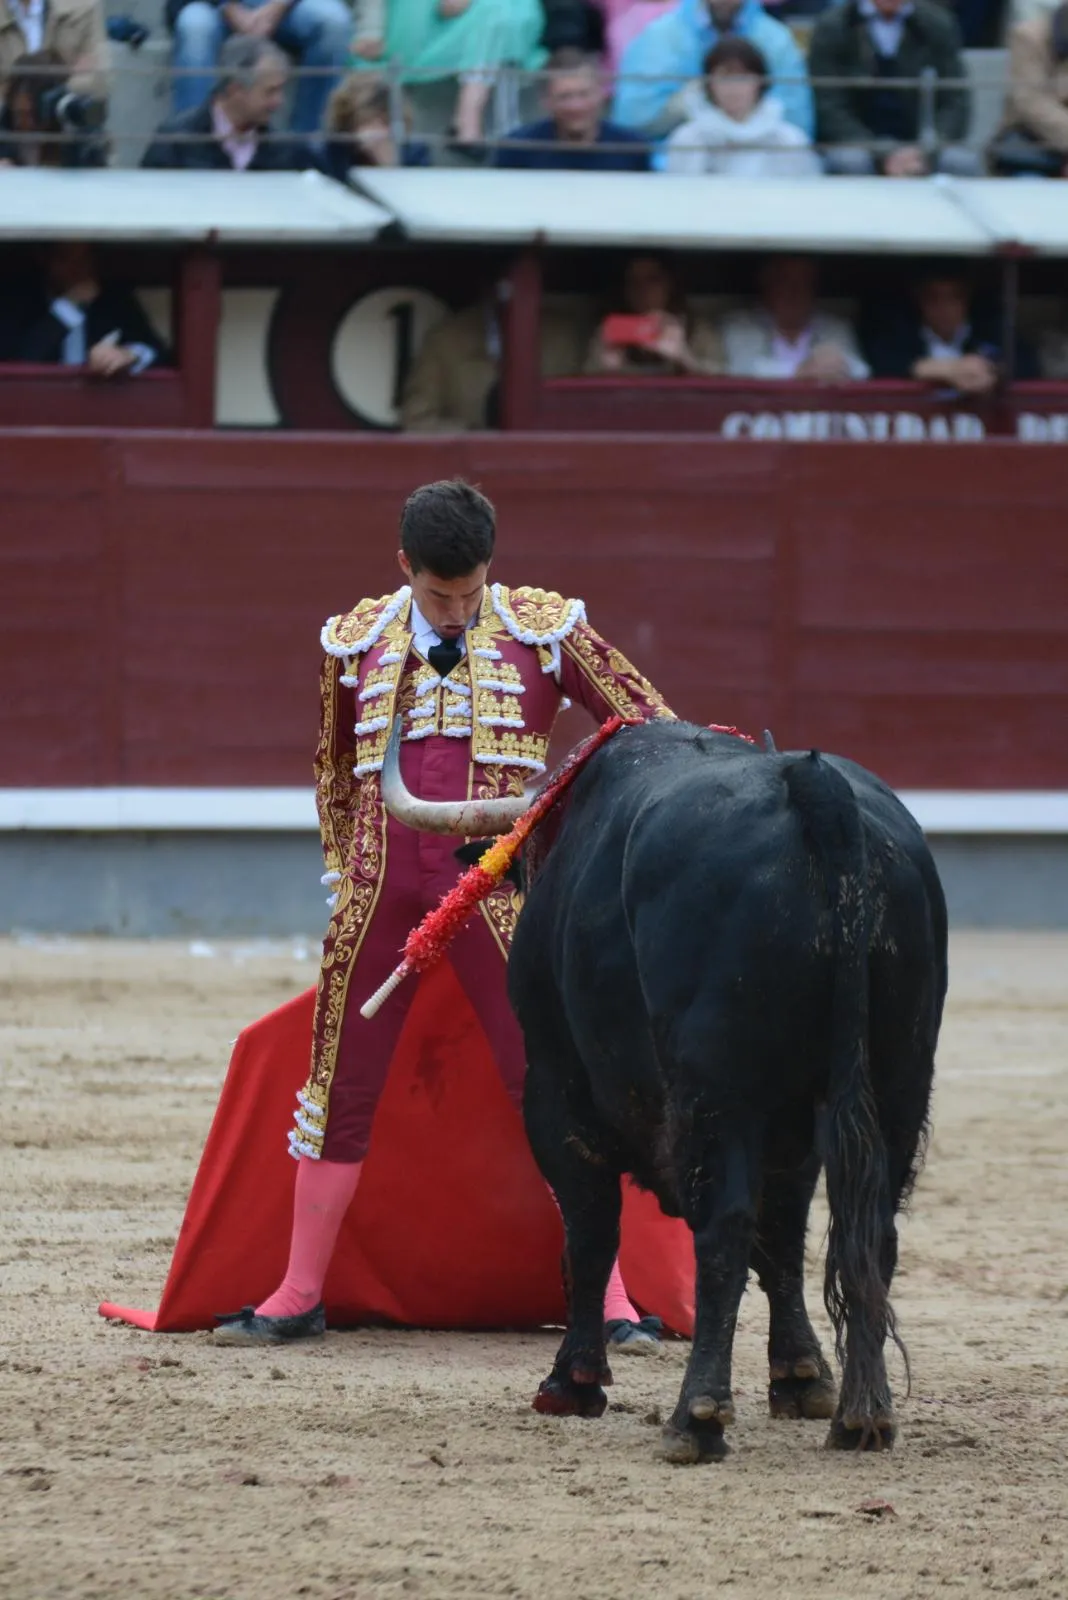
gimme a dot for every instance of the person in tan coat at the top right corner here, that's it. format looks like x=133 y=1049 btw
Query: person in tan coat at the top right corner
x=1035 y=140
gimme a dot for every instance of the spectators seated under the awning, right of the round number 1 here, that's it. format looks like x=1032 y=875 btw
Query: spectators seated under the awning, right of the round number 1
x=938 y=334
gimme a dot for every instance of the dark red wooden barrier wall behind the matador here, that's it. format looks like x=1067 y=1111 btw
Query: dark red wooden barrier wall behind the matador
x=161 y=594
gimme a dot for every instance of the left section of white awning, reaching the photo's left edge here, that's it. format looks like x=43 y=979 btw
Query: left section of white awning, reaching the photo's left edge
x=281 y=209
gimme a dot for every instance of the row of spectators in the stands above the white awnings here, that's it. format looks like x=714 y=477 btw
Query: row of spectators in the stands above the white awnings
x=776 y=89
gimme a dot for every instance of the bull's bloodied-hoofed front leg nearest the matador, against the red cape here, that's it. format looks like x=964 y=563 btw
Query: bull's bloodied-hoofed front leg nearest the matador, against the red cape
x=588 y=1190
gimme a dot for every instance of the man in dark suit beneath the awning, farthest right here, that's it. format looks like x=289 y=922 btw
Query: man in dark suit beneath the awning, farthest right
x=942 y=338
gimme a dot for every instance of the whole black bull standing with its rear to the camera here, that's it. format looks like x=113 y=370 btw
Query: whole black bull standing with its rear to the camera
x=730 y=970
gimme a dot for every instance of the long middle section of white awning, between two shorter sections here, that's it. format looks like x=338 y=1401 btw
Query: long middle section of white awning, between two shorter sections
x=660 y=210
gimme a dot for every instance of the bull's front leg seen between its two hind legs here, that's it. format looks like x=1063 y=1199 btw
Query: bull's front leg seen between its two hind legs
x=800 y=1380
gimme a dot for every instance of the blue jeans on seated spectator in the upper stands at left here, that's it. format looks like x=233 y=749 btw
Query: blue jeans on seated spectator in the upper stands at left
x=316 y=33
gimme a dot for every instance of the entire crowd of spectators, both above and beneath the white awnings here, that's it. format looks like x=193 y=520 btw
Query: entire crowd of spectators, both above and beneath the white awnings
x=786 y=89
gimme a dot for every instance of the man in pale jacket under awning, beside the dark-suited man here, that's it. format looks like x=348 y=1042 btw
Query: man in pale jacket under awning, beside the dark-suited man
x=786 y=337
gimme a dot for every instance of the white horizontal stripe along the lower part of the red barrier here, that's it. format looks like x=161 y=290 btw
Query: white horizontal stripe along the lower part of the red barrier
x=293 y=810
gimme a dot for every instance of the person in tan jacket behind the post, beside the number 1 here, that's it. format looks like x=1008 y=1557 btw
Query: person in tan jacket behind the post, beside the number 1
x=453 y=382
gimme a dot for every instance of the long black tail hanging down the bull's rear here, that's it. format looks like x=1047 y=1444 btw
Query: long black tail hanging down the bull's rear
x=856 y=1286
